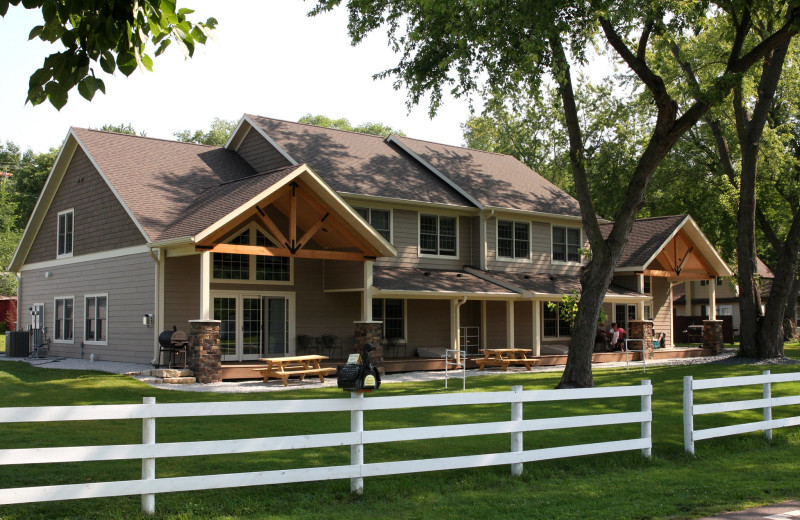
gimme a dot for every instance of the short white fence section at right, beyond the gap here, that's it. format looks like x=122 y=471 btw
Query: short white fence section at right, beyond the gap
x=766 y=403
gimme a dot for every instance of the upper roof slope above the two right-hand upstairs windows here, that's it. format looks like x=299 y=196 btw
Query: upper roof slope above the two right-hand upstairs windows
x=495 y=180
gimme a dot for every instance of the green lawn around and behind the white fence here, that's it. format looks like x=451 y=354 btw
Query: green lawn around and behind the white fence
x=726 y=474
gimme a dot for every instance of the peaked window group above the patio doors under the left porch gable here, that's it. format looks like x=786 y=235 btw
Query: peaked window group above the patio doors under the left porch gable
x=227 y=266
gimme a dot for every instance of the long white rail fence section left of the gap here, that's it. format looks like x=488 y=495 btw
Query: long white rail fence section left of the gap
x=148 y=451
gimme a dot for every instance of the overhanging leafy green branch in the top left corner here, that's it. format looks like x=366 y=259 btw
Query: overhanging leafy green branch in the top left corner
x=114 y=34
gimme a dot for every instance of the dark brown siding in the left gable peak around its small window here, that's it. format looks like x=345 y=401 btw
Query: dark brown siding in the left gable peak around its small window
x=100 y=221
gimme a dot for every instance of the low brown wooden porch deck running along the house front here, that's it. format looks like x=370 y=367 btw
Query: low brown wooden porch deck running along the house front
x=233 y=371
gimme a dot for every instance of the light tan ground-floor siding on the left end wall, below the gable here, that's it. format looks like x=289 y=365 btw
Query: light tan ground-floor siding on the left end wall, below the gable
x=129 y=282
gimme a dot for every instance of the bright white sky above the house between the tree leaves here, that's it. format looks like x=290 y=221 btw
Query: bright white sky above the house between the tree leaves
x=266 y=58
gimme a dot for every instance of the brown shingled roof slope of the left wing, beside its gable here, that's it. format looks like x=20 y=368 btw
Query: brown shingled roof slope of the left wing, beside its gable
x=157 y=179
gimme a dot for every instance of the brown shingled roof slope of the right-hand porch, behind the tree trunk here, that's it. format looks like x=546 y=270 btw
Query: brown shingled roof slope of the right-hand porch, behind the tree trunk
x=647 y=236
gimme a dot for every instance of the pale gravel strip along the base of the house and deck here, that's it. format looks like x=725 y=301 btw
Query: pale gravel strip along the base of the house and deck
x=141 y=372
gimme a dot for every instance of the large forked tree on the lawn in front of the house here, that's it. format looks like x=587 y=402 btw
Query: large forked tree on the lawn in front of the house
x=514 y=47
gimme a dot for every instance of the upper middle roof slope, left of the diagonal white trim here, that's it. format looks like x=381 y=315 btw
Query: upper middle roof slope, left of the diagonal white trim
x=360 y=164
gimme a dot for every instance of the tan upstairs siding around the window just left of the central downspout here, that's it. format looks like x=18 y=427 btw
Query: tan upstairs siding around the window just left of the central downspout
x=405 y=238
